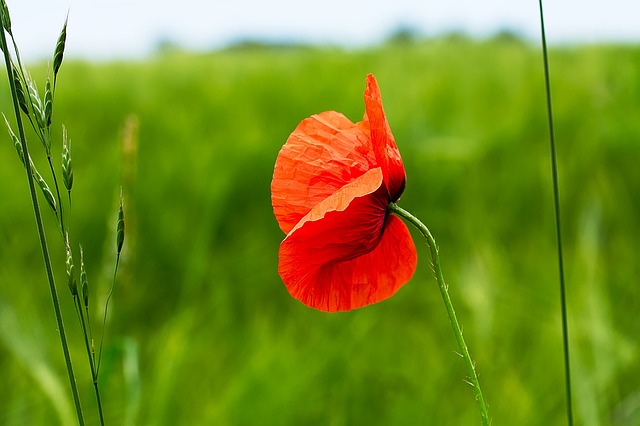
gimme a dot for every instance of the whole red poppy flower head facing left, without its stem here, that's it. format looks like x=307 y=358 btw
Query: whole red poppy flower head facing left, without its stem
x=332 y=184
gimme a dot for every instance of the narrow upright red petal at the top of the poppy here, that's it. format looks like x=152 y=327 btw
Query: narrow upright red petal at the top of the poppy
x=384 y=145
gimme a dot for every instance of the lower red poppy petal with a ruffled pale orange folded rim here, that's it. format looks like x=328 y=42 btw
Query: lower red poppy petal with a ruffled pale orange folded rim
x=347 y=252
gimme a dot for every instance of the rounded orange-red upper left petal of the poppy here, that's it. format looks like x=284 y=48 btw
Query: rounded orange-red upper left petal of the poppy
x=325 y=152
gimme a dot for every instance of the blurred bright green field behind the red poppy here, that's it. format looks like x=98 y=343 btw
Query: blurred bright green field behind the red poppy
x=201 y=330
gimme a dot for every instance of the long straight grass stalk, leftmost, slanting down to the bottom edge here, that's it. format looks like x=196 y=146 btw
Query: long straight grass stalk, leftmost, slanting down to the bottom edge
x=41 y=234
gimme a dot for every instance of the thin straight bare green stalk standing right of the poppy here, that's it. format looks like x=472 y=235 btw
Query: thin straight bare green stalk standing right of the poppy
x=556 y=205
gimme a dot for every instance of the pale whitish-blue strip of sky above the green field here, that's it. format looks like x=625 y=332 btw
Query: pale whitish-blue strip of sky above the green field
x=112 y=29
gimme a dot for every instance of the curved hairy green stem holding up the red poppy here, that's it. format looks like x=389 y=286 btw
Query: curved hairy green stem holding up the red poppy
x=473 y=377
